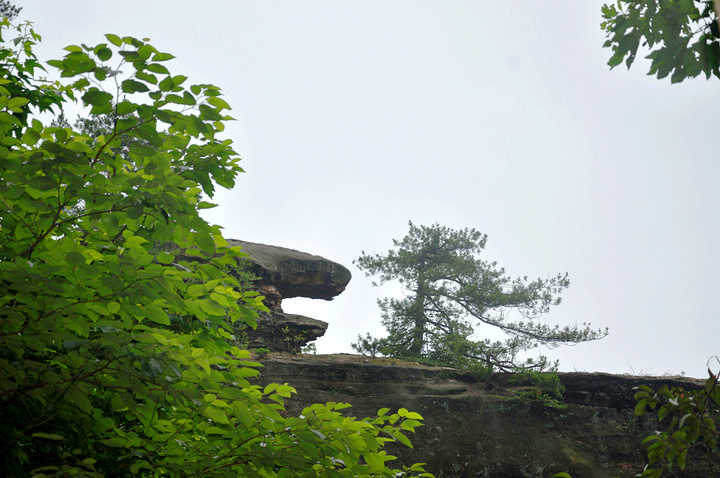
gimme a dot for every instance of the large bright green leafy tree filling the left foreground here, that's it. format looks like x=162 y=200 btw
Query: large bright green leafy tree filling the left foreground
x=117 y=300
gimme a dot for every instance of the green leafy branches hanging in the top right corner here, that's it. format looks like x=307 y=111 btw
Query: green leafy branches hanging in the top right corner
x=680 y=36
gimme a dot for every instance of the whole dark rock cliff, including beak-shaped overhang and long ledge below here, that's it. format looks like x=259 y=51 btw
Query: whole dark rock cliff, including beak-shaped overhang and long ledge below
x=472 y=428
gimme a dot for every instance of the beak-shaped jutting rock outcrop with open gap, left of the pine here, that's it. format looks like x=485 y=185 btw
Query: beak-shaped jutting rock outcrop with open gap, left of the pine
x=286 y=273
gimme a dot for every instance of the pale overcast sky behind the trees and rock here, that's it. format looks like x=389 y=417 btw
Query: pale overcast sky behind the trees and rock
x=355 y=117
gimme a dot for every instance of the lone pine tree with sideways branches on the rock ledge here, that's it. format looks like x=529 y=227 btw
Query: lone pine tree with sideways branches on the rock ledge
x=449 y=291
